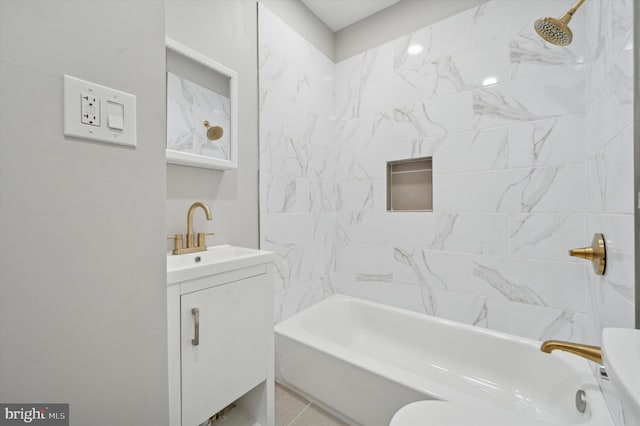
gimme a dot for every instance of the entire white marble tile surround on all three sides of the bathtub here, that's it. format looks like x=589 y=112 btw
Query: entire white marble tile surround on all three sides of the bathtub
x=503 y=115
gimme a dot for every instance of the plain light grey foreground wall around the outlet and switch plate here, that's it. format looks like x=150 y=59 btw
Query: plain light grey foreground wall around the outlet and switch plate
x=82 y=270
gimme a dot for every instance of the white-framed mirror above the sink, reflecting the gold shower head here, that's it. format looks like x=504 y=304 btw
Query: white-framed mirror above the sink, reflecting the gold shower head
x=201 y=110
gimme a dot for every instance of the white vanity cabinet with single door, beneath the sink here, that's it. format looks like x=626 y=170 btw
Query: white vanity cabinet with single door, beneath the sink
x=221 y=344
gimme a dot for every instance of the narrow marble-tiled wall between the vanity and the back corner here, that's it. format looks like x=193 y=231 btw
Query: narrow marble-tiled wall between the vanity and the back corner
x=297 y=163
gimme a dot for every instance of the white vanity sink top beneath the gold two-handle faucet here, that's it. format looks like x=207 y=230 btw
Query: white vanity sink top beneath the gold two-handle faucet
x=214 y=260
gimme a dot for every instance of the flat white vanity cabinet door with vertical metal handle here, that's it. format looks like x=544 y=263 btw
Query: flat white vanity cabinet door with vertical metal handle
x=230 y=357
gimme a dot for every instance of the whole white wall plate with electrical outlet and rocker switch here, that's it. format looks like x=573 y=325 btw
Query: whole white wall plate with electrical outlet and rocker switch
x=79 y=113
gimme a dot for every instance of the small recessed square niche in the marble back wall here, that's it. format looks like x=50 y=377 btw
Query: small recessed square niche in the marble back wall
x=410 y=185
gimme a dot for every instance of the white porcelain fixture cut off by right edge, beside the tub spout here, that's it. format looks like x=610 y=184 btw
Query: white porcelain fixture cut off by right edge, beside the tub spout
x=621 y=356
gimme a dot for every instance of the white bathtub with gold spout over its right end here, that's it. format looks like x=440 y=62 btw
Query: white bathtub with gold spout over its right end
x=364 y=361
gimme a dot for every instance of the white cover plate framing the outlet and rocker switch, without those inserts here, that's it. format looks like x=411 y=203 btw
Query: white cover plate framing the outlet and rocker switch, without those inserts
x=74 y=88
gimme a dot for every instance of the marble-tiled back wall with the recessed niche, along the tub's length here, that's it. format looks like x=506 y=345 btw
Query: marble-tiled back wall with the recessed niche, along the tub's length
x=503 y=115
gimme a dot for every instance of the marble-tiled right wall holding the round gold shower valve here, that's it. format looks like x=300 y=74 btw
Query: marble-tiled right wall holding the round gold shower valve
x=609 y=141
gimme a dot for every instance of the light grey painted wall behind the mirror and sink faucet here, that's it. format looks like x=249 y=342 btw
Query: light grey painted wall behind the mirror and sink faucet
x=225 y=31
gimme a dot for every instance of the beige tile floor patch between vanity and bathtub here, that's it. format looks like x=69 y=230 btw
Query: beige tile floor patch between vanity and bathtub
x=294 y=410
